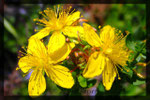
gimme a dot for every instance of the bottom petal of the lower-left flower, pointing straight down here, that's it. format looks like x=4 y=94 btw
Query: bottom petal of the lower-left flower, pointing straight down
x=37 y=83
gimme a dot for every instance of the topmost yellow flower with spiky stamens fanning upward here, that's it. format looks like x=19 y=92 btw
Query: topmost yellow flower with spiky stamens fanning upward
x=60 y=22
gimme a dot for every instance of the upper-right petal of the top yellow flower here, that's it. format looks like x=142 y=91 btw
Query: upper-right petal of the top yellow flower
x=73 y=17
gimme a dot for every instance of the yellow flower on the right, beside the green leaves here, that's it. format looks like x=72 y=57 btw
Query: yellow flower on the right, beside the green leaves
x=113 y=53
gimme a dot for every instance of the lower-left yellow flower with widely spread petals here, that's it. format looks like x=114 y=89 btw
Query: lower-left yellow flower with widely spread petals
x=39 y=60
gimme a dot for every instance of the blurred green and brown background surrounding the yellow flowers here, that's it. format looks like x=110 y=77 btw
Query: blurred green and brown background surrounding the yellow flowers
x=19 y=26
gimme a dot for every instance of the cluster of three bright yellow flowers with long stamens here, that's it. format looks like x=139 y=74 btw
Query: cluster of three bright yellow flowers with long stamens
x=65 y=31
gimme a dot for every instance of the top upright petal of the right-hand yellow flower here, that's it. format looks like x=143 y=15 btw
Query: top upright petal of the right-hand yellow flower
x=107 y=34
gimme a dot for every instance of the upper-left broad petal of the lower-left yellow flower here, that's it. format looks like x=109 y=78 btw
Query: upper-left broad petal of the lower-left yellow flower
x=36 y=48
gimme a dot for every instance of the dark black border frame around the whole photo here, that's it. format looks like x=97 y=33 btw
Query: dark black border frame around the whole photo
x=146 y=2
